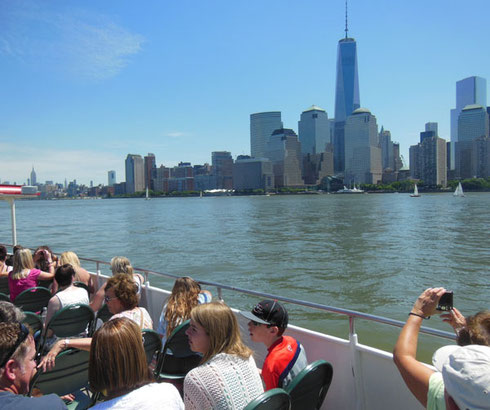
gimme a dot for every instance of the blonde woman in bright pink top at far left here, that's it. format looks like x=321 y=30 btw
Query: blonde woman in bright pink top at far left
x=24 y=275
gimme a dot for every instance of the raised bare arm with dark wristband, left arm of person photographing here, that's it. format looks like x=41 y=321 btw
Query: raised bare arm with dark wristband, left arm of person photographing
x=416 y=374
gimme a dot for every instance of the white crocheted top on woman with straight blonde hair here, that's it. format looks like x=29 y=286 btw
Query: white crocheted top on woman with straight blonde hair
x=224 y=382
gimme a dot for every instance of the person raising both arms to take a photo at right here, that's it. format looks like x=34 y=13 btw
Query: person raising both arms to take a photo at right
x=424 y=383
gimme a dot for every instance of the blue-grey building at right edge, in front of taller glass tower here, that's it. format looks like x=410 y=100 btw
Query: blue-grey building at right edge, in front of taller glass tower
x=472 y=123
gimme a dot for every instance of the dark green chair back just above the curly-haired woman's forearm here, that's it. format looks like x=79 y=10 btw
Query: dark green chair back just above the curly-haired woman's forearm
x=71 y=320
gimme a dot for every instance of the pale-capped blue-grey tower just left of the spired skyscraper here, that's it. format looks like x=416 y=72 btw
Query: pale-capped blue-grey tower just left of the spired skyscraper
x=314 y=130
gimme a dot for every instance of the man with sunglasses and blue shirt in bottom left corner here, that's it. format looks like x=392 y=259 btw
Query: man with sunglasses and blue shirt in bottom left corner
x=17 y=367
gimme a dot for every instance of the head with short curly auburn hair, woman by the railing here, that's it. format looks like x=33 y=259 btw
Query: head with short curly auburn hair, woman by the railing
x=121 y=293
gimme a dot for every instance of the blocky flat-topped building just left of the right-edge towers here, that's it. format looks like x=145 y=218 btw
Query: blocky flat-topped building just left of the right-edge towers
x=428 y=161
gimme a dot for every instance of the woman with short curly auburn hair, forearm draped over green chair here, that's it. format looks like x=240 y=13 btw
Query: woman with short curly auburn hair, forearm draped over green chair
x=122 y=301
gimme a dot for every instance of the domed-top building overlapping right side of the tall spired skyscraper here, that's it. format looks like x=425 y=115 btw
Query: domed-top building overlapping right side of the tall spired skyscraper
x=362 y=151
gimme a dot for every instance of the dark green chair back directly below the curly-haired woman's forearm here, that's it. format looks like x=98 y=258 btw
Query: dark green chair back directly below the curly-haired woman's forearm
x=69 y=375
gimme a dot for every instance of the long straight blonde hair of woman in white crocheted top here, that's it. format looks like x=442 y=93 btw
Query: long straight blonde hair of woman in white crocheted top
x=221 y=325
